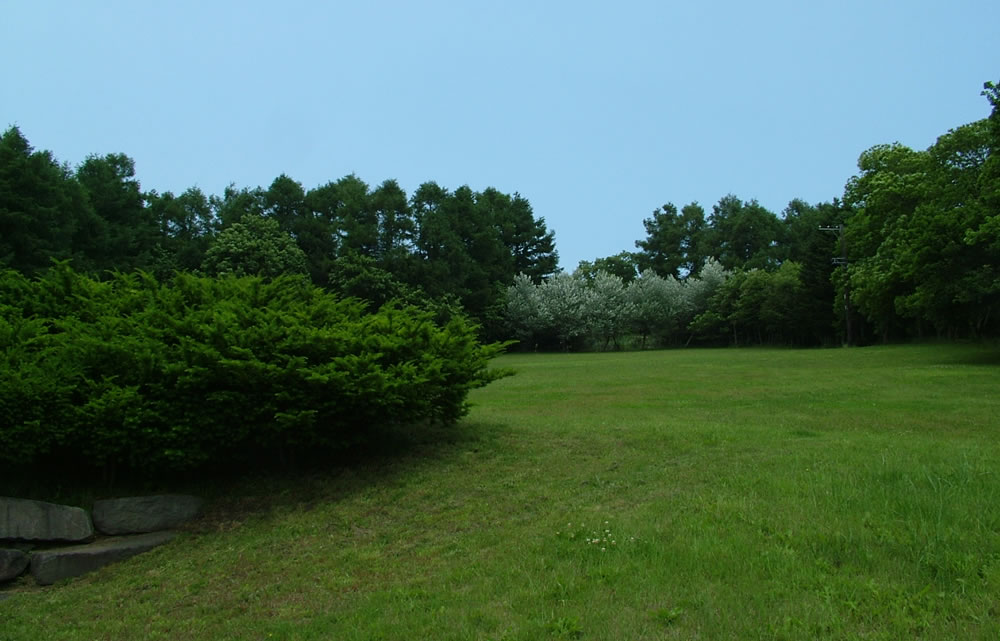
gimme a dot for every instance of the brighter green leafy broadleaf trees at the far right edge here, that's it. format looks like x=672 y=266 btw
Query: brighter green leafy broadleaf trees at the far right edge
x=919 y=258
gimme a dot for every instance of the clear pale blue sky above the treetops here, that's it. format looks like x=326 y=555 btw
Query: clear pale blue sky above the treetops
x=597 y=112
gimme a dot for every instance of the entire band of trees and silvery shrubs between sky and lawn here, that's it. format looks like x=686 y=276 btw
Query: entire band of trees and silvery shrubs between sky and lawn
x=910 y=250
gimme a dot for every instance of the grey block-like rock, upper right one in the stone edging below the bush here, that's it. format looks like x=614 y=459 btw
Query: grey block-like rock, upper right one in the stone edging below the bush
x=144 y=513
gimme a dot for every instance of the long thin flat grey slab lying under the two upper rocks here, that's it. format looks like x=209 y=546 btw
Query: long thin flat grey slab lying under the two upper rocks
x=50 y=566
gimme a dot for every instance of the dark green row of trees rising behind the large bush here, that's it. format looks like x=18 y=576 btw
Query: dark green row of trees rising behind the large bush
x=460 y=247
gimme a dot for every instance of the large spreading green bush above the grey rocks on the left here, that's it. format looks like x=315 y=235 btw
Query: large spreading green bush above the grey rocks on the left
x=135 y=374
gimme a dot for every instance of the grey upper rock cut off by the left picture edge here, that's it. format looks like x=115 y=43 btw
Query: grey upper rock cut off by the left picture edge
x=40 y=521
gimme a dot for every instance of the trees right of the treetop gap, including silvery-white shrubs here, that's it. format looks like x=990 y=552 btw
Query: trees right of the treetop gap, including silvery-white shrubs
x=912 y=250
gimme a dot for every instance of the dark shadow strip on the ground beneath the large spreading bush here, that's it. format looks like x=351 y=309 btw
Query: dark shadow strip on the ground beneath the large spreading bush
x=235 y=491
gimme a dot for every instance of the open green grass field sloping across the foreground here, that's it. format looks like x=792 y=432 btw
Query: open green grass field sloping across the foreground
x=689 y=494
